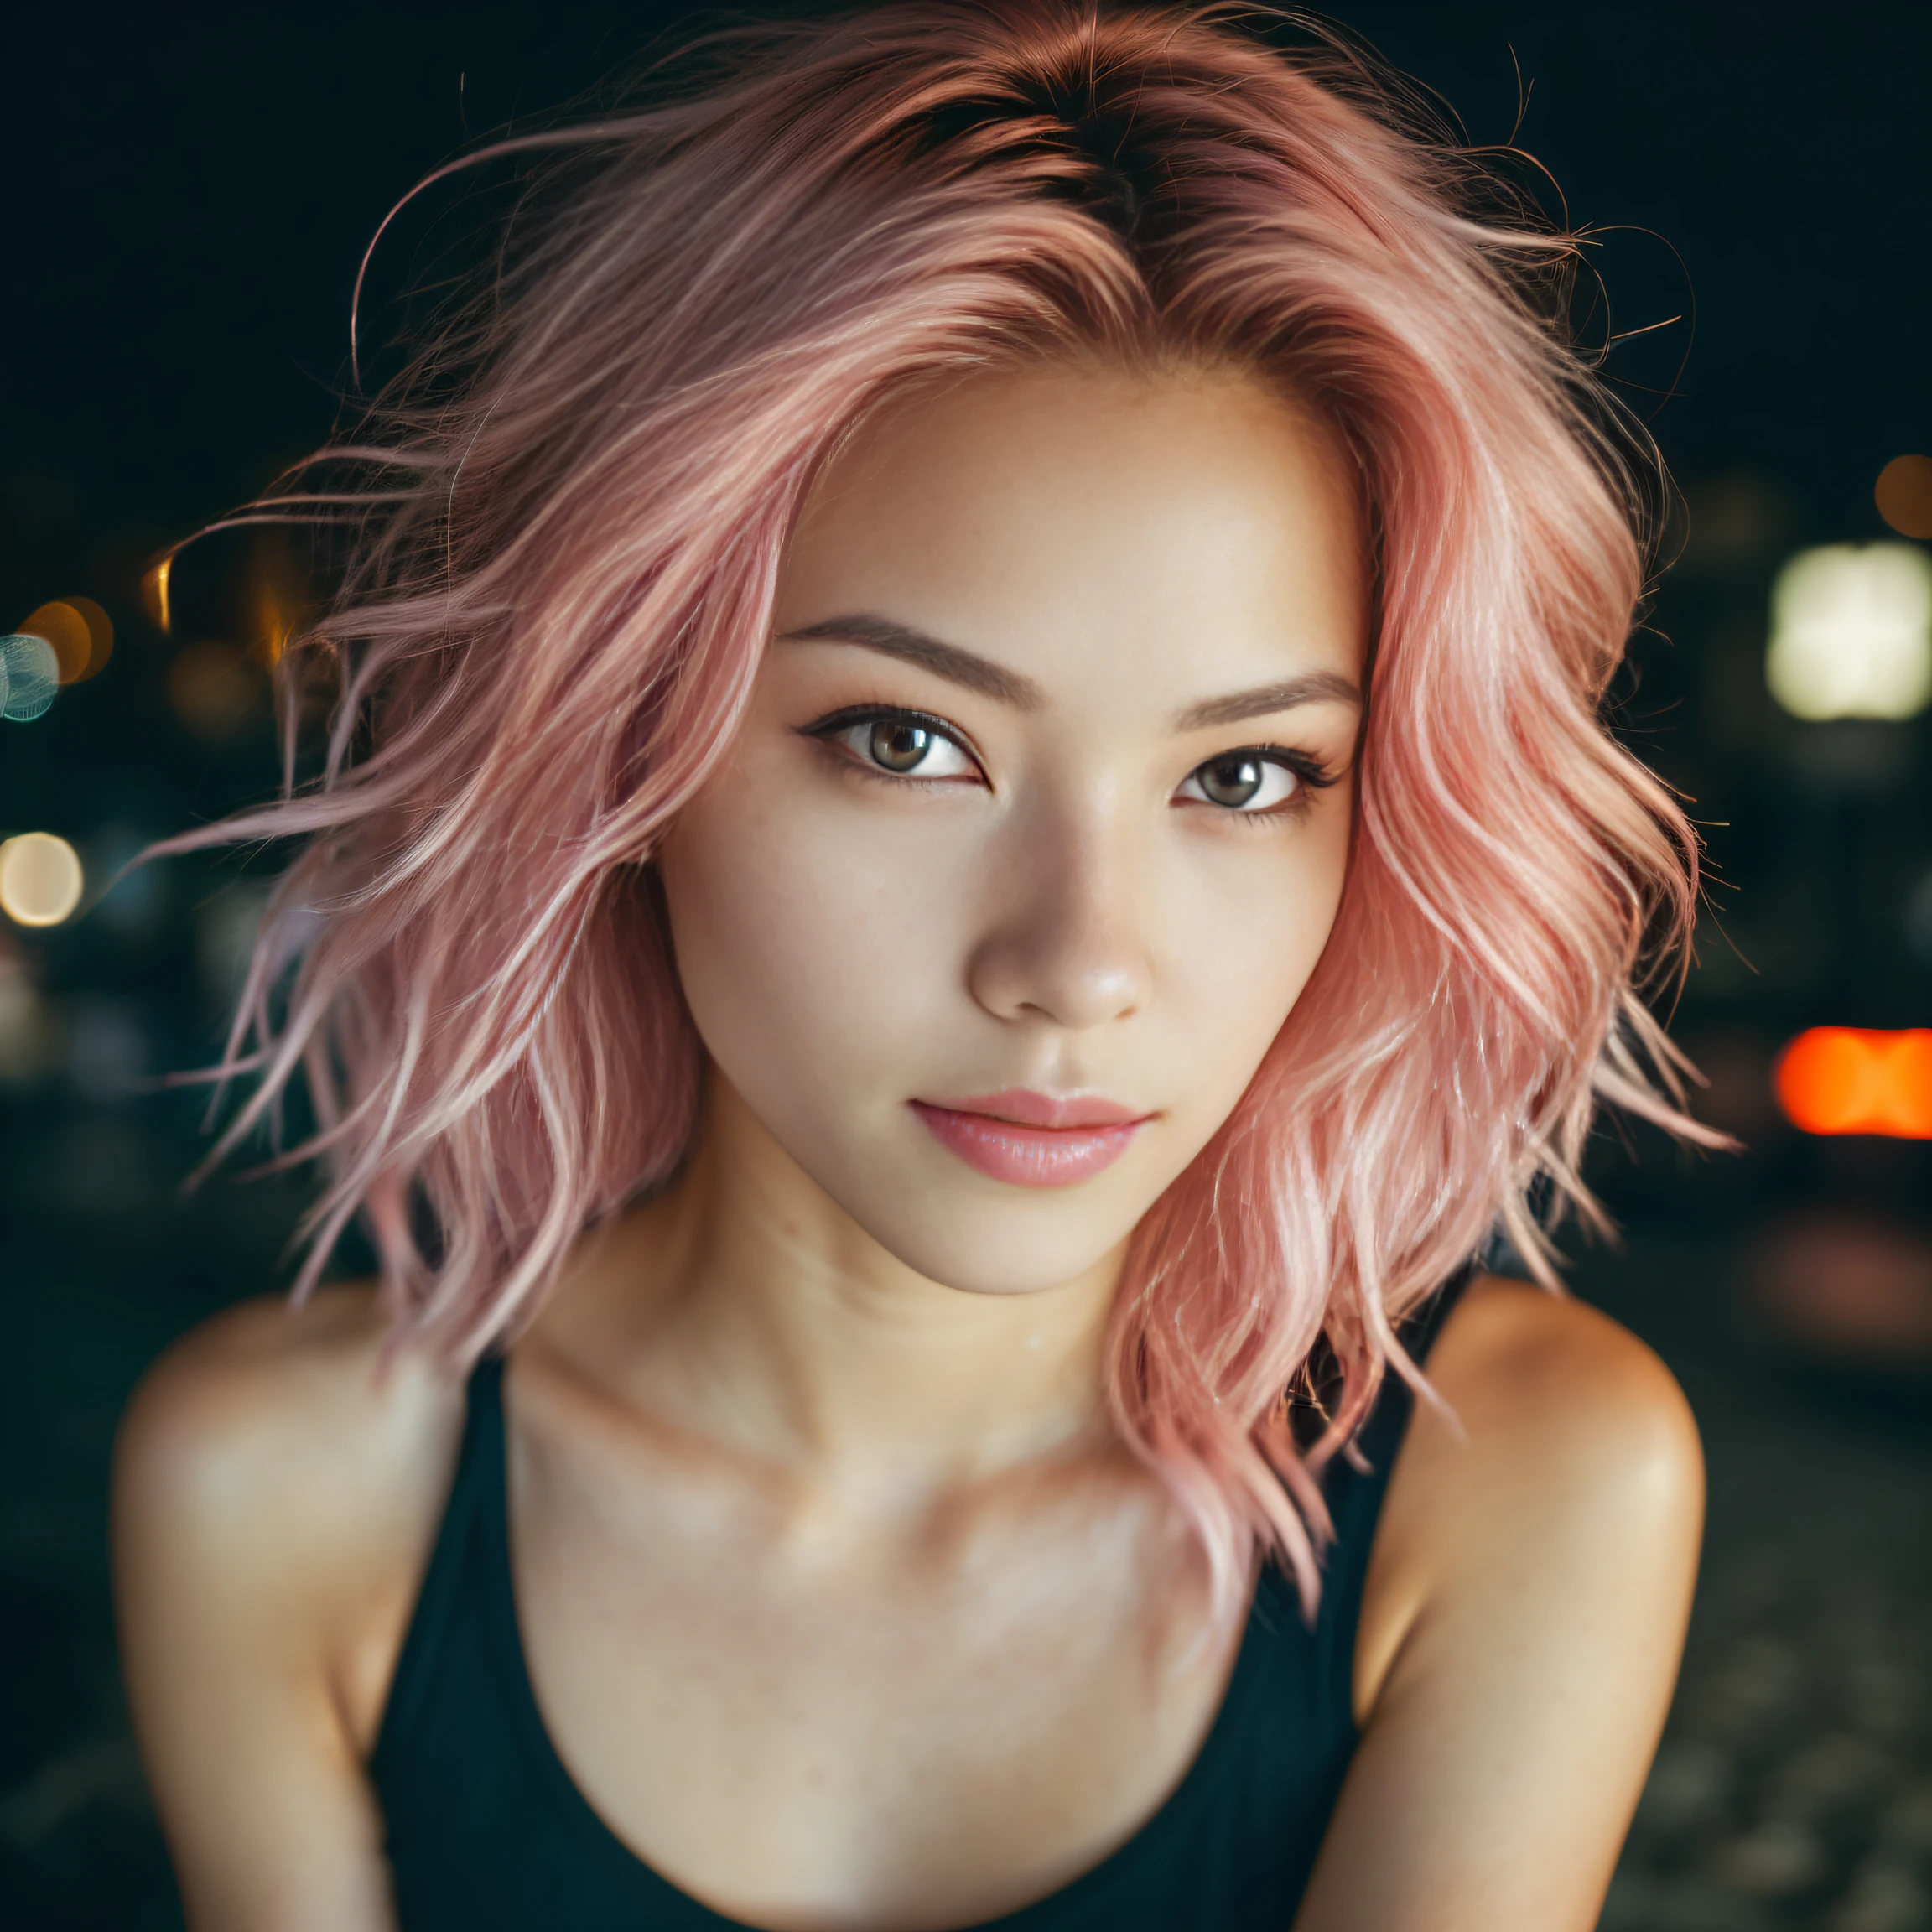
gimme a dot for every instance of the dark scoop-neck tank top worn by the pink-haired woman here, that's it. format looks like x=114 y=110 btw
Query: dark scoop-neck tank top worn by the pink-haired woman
x=486 y=1831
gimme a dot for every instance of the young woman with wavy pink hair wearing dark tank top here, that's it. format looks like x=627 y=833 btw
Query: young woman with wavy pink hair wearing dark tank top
x=965 y=857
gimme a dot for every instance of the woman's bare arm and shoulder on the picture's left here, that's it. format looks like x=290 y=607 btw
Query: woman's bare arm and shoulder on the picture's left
x=273 y=1510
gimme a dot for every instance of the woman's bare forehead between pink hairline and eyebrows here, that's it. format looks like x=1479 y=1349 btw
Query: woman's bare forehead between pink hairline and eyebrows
x=1079 y=523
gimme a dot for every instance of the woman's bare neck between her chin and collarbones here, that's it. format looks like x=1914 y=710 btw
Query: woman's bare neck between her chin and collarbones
x=760 y=1313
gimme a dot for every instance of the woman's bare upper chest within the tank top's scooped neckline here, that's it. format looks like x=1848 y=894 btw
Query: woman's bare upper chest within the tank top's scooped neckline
x=809 y=1720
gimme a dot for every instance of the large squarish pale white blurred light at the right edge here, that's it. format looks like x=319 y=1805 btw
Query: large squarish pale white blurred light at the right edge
x=1852 y=633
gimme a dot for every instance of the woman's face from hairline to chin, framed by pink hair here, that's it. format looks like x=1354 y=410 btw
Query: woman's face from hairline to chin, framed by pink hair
x=1040 y=816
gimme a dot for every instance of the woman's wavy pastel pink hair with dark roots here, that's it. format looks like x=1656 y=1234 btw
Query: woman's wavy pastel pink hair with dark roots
x=561 y=586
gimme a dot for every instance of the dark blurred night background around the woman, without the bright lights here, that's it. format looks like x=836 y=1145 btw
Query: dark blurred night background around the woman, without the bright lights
x=186 y=198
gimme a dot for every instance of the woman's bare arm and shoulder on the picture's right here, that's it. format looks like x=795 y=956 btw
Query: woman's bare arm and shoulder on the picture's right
x=1523 y=1628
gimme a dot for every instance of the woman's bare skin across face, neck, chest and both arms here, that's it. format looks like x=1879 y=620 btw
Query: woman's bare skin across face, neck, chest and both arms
x=841 y=1603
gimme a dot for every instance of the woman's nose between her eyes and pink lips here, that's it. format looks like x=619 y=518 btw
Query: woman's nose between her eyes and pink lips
x=1065 y=936
